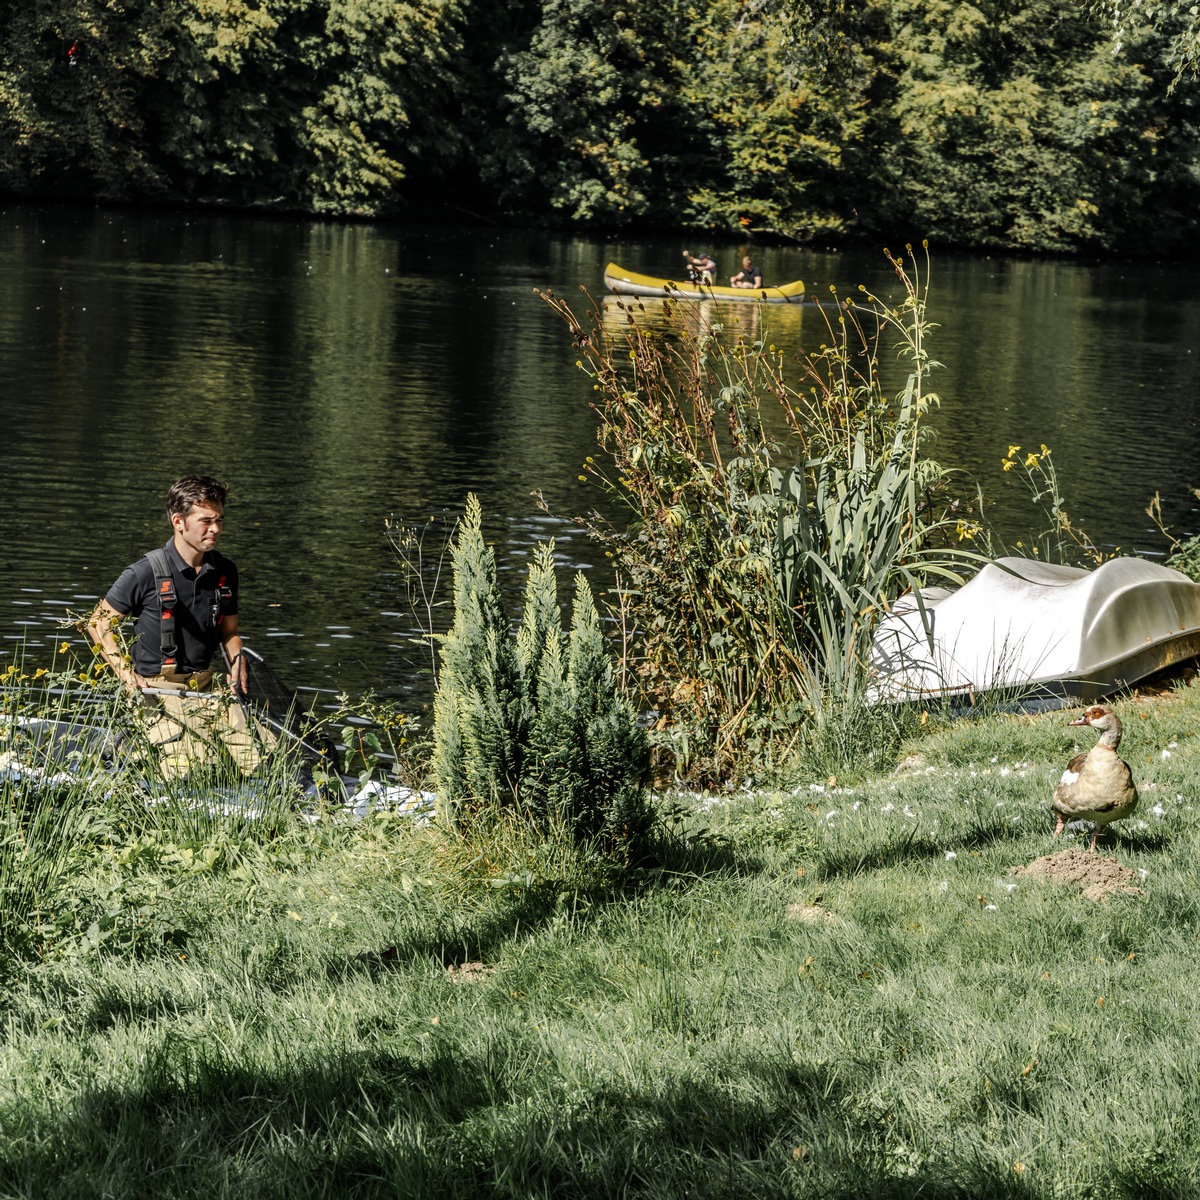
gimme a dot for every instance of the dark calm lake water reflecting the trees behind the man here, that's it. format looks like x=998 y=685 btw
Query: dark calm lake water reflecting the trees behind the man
x=341 y=376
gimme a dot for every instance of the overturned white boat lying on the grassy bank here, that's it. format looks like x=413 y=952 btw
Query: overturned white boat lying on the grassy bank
x=1036 y=629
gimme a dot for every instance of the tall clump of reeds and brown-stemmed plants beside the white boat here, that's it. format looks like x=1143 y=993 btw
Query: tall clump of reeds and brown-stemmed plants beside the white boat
x=776 y=509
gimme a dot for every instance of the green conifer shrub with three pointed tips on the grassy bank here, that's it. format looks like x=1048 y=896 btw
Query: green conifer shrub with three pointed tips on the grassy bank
x=535 y=723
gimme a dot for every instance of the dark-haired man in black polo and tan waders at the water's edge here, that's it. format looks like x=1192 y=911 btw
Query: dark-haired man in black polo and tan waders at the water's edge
x=184 y=604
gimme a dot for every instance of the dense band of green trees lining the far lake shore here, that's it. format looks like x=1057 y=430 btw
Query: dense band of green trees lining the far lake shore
x=1012 y=124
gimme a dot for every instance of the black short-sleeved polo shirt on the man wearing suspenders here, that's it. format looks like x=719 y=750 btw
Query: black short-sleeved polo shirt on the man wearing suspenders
x=196 y=609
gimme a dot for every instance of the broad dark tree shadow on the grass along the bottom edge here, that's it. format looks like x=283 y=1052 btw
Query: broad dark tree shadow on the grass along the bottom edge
x=443 y=1121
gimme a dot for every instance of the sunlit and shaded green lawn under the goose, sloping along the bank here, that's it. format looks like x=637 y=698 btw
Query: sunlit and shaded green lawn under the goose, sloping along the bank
x=819 y=992
